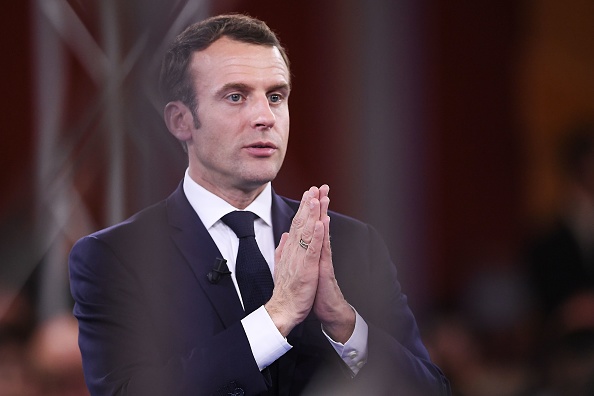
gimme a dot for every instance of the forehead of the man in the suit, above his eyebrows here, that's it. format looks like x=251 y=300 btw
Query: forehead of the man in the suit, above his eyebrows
x=228 y=60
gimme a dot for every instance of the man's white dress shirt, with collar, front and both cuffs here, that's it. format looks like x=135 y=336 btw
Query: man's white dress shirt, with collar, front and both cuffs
x=266 y=342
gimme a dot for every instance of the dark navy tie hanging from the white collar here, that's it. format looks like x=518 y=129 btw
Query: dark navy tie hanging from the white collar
x=251 y=270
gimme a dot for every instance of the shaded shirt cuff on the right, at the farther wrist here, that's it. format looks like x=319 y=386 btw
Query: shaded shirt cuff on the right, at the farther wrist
x=354 y=351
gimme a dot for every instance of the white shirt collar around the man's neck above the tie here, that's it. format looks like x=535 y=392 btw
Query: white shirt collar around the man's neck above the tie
x=210 y=207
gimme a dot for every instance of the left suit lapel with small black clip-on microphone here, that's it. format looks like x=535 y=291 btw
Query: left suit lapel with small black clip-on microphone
x=199 y=250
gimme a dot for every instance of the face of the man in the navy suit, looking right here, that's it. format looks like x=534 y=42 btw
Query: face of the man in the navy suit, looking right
x=242 y=91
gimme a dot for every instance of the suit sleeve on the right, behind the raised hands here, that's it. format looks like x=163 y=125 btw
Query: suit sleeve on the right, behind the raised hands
x=397 y=358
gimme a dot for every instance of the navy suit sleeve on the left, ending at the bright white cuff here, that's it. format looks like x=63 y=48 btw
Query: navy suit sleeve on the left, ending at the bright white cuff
x=120 y=349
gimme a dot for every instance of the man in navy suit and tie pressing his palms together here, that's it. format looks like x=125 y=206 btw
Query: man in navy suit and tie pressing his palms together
x=156 y=318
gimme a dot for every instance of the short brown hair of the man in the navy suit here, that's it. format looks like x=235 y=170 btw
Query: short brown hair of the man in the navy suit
x=176 y=83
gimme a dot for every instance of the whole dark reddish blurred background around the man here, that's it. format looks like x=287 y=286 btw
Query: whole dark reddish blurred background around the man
x=462 y=130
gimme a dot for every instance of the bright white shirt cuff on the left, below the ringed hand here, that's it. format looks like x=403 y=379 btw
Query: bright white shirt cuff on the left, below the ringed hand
x=266 y=341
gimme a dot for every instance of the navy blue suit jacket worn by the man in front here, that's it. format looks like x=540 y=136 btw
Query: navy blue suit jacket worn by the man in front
x=152 y=324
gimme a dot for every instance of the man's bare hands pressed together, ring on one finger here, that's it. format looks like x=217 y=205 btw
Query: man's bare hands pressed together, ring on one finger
x=304 y=273
